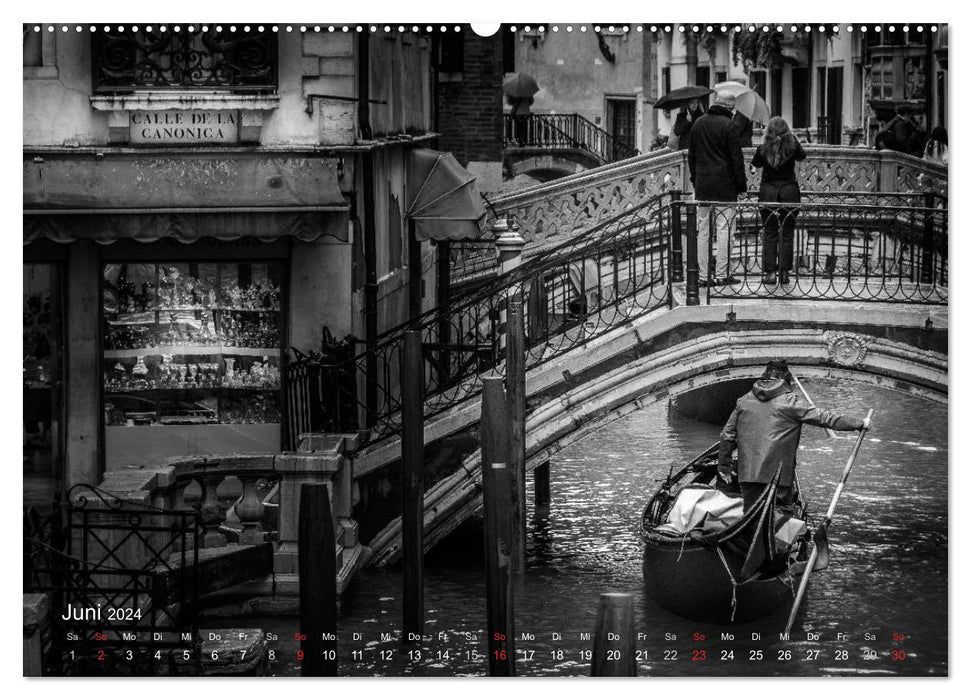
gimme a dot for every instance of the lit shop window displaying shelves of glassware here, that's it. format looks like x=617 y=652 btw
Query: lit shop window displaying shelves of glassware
x=191 y=359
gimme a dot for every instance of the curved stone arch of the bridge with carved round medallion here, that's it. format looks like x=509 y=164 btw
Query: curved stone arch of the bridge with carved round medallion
x=708 y=357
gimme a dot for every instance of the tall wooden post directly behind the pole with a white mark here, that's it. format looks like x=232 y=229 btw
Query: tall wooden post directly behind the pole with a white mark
x=516 y=396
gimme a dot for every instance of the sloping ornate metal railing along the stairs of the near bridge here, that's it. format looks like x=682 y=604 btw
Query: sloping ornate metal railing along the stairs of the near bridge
x=576 y=291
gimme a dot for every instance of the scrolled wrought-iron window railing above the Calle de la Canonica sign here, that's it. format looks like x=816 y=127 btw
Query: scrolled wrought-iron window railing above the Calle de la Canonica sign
x=188 y=59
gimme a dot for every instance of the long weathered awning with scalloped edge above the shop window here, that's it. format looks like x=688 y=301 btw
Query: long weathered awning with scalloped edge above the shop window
x=146 y=197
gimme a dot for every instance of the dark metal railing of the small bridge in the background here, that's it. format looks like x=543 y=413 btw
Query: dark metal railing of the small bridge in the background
x=562 y=131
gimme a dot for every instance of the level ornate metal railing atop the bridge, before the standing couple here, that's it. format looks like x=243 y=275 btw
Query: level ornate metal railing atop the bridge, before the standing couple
x=890 y=249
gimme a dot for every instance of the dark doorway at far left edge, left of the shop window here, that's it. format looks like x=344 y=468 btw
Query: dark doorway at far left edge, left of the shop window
x=43 y=422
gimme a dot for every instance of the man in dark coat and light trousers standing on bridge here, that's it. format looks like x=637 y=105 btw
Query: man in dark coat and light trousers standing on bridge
x=717 y=171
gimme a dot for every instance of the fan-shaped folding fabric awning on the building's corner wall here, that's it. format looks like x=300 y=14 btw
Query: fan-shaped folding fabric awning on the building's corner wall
x=446 y=205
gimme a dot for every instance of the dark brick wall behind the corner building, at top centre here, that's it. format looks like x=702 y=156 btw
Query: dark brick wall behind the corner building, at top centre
x=470 y=102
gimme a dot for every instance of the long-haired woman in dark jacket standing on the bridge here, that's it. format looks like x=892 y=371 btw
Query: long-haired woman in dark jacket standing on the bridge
x=777 y=156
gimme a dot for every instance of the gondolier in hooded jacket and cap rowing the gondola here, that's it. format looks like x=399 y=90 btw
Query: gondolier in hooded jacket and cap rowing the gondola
x=766 y=426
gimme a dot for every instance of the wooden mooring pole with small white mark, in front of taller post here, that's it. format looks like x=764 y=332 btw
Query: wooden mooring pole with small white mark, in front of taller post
x=498 y=486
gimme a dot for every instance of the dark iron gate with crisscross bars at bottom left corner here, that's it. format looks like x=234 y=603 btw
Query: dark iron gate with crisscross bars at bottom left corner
x=121 y=578
